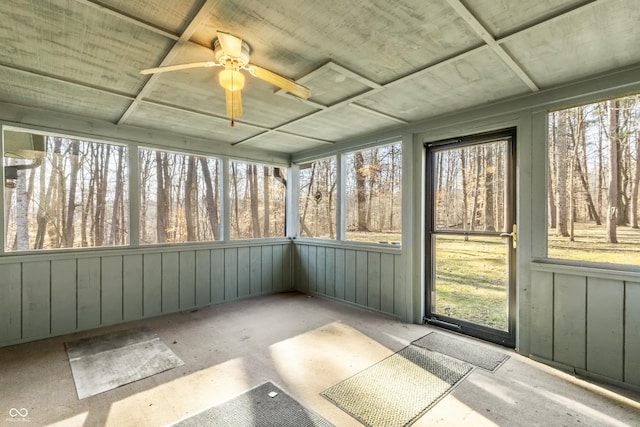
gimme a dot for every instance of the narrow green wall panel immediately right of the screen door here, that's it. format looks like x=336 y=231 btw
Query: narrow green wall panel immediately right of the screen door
x=542 y=314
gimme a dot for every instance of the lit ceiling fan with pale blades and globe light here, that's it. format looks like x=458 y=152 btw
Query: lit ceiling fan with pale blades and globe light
x=232 y=53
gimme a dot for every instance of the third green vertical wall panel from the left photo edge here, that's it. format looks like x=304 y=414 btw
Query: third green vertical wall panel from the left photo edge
x=63 y=296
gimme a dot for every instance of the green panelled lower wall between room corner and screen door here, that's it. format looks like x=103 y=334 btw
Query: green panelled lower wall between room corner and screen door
x=366 y=275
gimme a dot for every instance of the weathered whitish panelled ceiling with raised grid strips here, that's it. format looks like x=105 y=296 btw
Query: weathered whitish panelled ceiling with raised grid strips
x=371 y=65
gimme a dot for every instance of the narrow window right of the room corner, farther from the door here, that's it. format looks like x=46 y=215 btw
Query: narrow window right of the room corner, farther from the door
x=318 y=199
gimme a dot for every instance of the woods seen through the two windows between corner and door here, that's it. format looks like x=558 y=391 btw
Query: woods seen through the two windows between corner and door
x=373 y=196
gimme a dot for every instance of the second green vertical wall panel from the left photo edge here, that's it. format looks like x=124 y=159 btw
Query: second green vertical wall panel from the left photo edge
x=36 y=288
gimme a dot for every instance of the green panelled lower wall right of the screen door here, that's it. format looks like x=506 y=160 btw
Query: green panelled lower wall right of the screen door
x=587 y=320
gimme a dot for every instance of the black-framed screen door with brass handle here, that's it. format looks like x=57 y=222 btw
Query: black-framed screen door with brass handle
x=472 y=236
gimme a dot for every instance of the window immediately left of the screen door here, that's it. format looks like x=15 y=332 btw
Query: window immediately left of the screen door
x=374 y=194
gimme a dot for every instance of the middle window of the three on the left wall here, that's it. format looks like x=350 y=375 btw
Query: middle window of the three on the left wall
x=179 y=197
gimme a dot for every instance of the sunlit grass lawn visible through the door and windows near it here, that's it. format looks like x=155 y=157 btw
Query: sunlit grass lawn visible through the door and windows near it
x=471 y=275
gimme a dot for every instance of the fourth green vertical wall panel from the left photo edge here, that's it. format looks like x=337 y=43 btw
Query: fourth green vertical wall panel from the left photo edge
x=89 y=306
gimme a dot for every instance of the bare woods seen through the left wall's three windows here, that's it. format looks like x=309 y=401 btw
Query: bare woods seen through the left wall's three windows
x=68 y=193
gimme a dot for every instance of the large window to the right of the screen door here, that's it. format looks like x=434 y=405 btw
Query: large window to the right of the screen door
x=593 y=177
